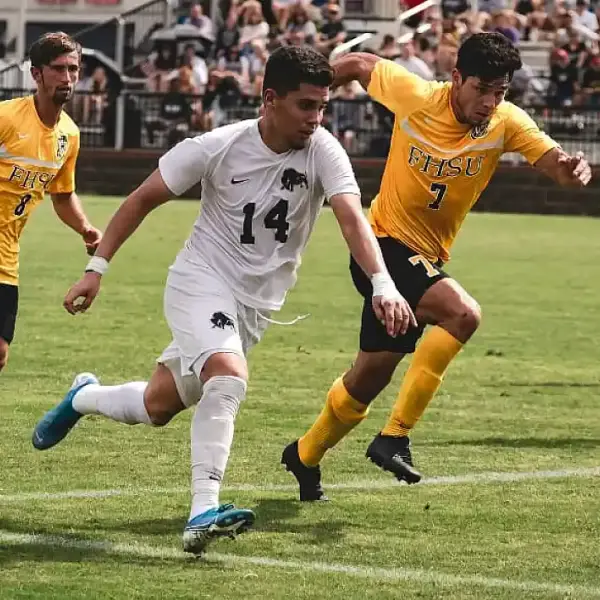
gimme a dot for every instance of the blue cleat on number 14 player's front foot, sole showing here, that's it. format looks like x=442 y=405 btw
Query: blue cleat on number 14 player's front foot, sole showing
x=226 y=520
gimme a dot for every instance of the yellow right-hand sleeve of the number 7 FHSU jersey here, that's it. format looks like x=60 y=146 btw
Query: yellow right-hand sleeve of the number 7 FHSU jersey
x=522 y=135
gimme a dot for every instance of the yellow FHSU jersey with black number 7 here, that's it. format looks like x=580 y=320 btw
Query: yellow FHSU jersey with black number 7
x=437 y=167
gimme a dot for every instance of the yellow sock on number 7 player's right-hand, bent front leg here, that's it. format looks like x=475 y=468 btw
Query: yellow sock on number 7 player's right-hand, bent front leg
x=422 y=380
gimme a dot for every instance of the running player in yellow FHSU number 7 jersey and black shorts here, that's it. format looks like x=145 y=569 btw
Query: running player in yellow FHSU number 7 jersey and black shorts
x=446 y=144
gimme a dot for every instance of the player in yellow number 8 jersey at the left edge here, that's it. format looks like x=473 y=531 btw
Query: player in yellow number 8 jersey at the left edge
x=39 y=144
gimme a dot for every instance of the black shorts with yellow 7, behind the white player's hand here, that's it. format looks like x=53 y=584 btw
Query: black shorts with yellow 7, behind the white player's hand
x=413 y=276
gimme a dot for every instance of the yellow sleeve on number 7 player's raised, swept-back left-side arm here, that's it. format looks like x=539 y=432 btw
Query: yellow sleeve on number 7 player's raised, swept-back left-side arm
x=398 y=89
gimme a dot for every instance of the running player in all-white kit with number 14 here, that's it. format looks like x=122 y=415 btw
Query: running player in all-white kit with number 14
x=263 y=185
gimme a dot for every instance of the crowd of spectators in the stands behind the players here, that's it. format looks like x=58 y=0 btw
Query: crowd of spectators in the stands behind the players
x=214 y=75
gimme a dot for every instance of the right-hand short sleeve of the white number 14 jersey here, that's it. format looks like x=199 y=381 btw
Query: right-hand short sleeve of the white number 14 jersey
x=334 y=170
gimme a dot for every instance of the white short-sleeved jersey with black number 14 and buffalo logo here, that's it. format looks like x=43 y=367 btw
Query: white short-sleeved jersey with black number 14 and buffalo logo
x=258 y=207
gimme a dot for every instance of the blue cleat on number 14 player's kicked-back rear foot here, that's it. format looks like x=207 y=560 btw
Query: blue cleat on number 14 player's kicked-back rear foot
x=56 y=423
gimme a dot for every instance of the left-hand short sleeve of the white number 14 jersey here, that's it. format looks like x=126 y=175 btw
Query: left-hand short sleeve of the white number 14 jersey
x=186 y=163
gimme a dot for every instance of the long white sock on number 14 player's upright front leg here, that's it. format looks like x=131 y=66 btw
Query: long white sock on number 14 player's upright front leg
x=211 y=436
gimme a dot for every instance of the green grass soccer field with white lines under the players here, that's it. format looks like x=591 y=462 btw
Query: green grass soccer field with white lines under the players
x=510 y=447
